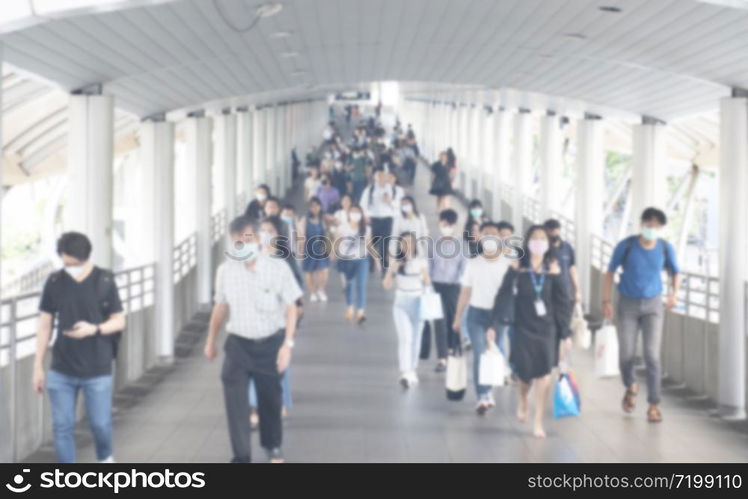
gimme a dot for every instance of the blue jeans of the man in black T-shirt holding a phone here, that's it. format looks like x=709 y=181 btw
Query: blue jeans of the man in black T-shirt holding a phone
x=63 y=394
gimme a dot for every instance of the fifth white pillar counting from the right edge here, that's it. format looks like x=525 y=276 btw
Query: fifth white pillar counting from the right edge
x=522 y=168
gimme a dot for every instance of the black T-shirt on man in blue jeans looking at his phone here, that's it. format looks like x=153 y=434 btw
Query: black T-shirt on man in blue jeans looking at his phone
x=93 y=300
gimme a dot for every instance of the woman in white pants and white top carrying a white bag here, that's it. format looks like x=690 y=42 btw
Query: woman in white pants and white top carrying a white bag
x=410 y=276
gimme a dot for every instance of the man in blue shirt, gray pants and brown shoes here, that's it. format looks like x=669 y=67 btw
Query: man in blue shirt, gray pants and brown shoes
x=640 y=304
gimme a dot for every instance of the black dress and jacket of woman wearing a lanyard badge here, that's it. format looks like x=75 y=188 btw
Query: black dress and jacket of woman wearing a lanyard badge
x=534 y=348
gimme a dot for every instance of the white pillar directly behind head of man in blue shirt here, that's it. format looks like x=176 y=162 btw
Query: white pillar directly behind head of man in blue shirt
x=647 y=170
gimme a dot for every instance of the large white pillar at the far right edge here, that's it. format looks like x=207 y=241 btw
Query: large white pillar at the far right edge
x=733 y=247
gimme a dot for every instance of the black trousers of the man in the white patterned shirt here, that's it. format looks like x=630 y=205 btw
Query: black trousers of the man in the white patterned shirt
x=247 y=359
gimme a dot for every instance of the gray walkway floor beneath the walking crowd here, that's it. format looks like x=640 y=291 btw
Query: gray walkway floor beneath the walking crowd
x=348 y=407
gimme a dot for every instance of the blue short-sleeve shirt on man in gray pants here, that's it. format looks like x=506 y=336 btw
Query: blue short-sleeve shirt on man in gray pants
x=642 y=272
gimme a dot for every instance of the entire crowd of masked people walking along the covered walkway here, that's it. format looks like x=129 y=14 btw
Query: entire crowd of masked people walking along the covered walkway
x=361 y=220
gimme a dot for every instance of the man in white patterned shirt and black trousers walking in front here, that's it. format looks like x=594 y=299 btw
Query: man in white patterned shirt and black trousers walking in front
x=260 y=292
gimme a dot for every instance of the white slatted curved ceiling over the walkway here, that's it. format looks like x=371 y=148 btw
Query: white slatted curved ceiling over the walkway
x=664 y=58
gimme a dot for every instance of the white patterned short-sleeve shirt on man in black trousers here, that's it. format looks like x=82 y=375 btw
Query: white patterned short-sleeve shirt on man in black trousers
x=257 y=298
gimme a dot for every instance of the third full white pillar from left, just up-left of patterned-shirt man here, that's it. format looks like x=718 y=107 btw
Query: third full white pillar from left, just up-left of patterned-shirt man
x=199 y=154
